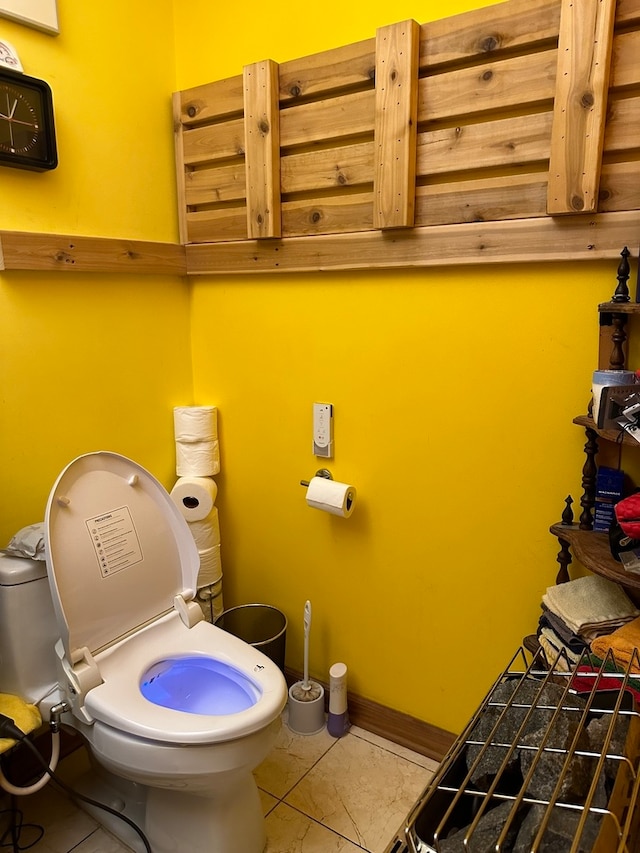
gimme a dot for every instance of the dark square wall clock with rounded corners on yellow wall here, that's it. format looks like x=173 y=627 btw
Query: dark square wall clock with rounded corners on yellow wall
x=27 y=129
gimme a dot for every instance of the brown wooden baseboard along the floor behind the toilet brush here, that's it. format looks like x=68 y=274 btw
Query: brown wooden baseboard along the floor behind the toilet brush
x=388 y=723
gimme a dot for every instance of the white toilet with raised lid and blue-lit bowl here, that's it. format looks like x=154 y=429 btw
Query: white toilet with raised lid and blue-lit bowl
x=178 y=712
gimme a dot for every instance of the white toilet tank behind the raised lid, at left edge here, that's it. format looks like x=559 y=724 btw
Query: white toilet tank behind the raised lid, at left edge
x=28 y=629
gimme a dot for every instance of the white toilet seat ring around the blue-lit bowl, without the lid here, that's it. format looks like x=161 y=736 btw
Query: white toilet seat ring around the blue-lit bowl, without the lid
x=118 y=701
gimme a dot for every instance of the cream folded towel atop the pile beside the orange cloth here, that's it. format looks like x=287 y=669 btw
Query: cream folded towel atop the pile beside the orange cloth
x=591 y=605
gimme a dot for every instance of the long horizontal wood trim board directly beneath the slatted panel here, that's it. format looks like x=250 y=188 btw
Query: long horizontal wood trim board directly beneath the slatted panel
x=519 y=241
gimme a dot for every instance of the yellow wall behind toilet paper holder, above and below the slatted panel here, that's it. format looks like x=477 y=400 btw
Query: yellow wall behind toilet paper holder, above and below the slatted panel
x=453 y=391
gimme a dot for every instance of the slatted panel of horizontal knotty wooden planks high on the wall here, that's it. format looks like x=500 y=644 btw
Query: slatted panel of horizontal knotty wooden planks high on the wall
x=485 y=91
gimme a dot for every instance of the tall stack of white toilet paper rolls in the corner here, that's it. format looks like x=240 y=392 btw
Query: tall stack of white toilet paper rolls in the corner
x=195 y=492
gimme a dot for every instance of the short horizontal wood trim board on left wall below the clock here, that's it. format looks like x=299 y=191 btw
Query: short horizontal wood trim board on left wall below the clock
x=23 y=250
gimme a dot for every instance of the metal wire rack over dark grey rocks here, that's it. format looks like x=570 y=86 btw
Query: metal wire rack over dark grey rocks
x=549 y=763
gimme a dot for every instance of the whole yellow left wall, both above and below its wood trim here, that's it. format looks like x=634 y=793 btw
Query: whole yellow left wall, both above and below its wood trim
x=93 y=362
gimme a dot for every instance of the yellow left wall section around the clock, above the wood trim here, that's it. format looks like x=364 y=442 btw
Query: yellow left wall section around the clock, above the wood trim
x=111 y=70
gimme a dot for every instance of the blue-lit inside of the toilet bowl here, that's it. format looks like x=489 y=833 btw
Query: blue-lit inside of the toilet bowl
x=199 y=685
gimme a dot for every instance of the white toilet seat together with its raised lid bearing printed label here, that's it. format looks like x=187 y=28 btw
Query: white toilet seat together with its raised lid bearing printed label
x=123 y=569
